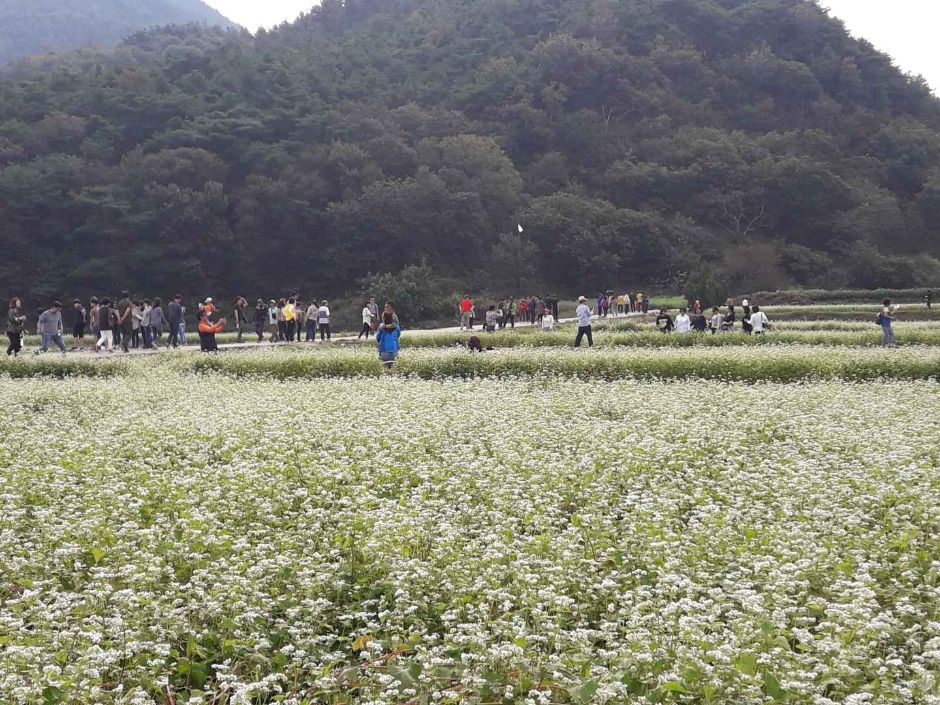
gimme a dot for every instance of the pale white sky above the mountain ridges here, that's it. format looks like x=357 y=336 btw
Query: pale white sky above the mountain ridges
x=905 y=29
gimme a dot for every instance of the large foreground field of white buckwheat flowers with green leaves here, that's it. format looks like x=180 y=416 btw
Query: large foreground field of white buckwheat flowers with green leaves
x=171 y=535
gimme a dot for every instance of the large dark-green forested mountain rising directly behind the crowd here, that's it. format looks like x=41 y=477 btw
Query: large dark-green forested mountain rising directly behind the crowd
x=639 y=142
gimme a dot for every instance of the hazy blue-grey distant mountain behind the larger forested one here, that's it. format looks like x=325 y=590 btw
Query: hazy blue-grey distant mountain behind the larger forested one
x=30 y=27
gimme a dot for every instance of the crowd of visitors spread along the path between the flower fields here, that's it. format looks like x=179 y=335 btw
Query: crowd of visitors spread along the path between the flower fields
x=132 y=323
